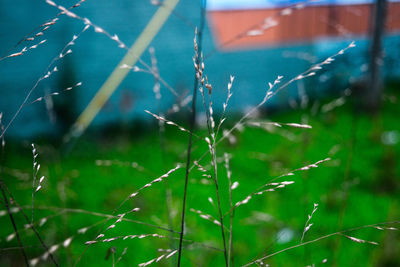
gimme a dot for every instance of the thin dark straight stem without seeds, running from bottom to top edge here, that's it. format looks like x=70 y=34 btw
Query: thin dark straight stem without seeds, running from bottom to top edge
x=191 y=128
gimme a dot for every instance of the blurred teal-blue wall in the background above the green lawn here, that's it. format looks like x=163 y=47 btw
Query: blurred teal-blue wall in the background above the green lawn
x=95 y=56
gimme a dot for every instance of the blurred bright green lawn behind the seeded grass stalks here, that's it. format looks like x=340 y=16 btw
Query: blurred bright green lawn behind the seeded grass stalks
x=358 y=186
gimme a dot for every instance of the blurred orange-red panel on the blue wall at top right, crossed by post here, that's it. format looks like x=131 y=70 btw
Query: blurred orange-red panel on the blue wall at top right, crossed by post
x=233 y=29
